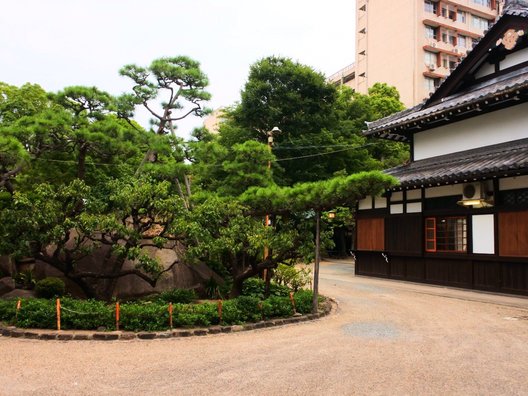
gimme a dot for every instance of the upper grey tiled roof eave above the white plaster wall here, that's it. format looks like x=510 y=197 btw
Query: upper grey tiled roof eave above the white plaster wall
x=516 y=80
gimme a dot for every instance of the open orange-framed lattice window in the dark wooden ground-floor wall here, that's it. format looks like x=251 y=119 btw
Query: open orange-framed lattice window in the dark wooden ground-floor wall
x=446 y=234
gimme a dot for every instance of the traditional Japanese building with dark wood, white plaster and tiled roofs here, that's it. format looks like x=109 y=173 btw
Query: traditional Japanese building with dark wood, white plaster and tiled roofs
x=460 y=214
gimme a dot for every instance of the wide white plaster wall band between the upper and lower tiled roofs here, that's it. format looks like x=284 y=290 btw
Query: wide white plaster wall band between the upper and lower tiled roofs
x=492 y=128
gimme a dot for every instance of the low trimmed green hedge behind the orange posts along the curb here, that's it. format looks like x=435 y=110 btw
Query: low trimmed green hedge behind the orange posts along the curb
x=148 y=315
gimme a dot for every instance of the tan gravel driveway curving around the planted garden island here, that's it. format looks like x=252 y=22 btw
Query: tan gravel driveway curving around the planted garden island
x=387 y=337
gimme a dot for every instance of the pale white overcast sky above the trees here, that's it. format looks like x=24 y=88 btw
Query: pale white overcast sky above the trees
x=57 y=43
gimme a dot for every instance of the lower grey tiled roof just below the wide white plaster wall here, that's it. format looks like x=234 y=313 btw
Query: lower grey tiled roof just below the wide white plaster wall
x=502 y=159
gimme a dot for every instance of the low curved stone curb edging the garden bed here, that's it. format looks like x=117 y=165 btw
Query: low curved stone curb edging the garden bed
x=329 y=306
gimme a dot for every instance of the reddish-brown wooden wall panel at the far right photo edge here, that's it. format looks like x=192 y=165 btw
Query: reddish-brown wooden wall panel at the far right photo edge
x=513 y=234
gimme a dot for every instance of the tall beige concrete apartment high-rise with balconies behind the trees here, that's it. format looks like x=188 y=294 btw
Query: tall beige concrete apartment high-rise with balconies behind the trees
x=413 y=44
